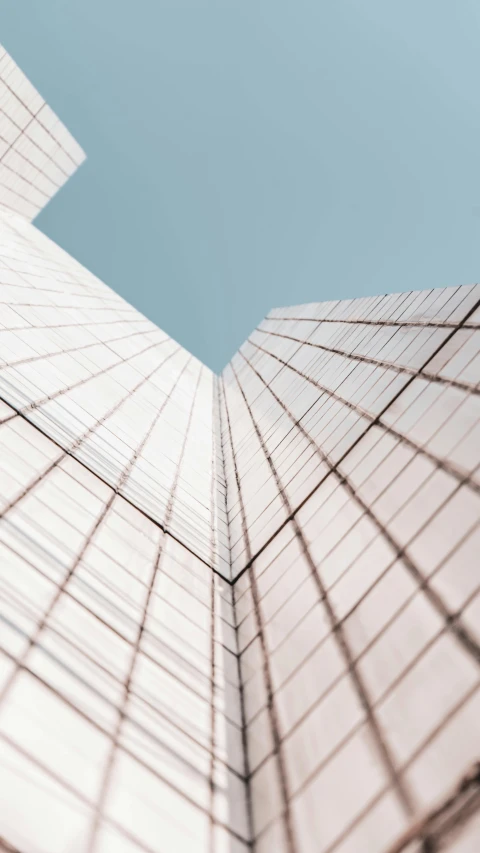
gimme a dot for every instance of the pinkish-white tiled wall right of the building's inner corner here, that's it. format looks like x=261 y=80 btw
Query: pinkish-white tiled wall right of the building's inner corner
x=352 y=439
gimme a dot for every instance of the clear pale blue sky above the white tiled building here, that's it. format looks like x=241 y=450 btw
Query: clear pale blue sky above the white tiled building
x=246 y=154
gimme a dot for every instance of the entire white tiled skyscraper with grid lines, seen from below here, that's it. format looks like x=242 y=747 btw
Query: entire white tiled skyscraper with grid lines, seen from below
x=238 y=612
